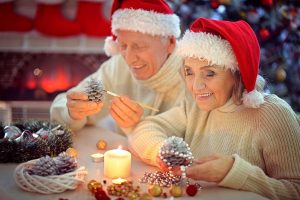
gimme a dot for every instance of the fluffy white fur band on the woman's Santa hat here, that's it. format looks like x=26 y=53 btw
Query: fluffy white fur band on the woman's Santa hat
x=212 y=48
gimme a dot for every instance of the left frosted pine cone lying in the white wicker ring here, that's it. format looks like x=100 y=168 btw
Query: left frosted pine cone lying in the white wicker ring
x=44 y=166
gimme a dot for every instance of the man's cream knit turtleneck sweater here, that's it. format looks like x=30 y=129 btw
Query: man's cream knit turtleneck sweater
x=162 y=91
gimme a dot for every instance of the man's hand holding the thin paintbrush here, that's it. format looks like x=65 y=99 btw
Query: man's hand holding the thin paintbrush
x=125 y=112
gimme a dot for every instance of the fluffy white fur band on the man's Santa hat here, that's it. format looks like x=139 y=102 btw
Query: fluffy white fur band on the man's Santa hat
x=148 y=22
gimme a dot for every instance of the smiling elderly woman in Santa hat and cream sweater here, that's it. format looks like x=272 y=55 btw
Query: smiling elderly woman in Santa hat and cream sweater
x=242 y=138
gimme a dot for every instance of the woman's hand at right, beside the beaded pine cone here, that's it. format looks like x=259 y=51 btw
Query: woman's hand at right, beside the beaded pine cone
x=211 y=168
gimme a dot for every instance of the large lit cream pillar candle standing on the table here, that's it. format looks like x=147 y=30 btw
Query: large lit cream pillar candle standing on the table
x=117 y=163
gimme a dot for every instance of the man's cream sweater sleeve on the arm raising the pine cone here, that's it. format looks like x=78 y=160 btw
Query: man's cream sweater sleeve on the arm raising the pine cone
x=59 y=111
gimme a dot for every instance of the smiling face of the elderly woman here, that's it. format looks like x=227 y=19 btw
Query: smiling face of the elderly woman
x=210 y=85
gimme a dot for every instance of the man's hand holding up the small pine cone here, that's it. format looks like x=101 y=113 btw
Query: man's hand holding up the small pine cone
x=80 y=107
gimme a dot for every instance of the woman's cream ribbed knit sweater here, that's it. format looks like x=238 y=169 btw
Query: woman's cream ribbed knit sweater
x=265 y=142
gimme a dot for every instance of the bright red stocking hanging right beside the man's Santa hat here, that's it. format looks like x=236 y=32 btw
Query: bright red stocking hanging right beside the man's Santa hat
x=91 y=19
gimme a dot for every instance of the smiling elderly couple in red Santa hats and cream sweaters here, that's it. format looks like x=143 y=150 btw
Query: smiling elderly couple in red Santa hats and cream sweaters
x=208 y=92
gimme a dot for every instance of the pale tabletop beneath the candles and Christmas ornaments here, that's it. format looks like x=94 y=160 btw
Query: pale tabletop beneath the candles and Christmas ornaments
x=85 y=143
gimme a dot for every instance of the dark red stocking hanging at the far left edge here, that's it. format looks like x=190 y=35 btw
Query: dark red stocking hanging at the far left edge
x=12 y=21
